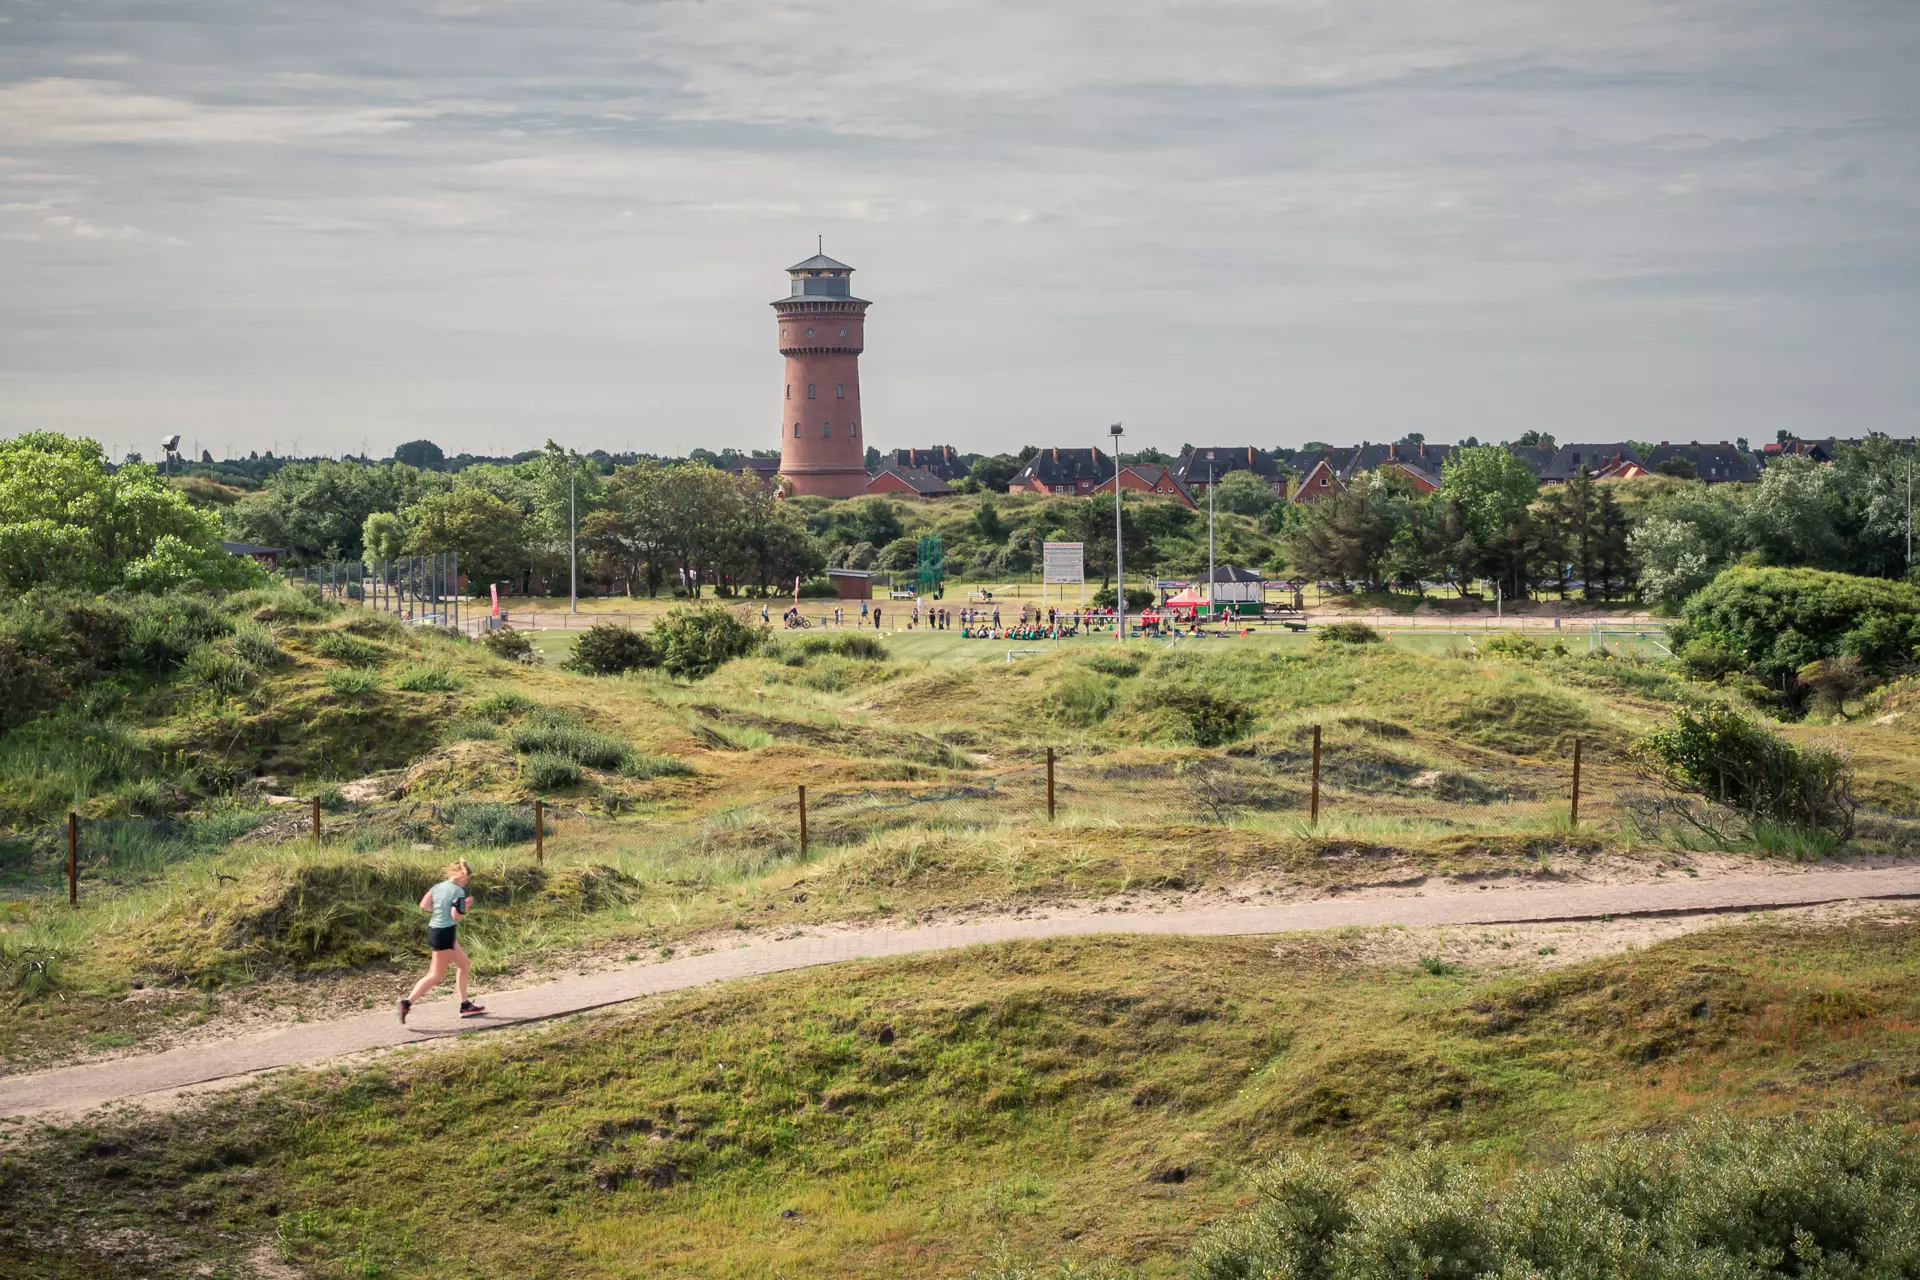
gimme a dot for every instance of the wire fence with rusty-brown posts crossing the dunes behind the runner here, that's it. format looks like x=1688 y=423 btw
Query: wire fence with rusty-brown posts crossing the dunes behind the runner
x=1349 y=780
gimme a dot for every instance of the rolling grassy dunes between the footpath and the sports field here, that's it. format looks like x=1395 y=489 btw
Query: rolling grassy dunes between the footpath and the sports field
x=1178 y=770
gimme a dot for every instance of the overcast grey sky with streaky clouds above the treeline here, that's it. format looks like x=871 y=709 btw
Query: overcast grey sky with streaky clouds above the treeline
x=345 y=225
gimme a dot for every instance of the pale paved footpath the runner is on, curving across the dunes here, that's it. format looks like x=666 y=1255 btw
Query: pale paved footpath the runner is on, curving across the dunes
x=72 y=1089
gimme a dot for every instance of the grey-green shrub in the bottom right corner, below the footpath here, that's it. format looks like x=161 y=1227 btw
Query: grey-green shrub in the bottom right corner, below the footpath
x=1823 y=1198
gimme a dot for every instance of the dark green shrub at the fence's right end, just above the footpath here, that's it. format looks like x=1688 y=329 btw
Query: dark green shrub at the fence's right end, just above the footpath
x=1719 y=753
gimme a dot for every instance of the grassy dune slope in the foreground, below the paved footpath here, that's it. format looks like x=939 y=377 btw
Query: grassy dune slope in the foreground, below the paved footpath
x=1095 y=1099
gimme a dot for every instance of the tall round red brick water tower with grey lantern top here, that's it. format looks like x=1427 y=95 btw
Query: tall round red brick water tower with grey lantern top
x=823 y=331
